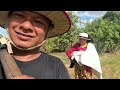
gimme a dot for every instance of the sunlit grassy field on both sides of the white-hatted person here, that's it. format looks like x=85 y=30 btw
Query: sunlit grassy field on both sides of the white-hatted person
x=110 y=64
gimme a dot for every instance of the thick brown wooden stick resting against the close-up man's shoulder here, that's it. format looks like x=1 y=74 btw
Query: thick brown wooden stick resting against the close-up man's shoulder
x=9 y=65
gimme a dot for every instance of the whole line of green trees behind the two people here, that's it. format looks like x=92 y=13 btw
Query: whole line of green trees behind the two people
x=104 y=32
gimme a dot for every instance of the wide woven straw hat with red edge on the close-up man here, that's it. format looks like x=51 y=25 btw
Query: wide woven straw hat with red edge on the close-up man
x=60 y=20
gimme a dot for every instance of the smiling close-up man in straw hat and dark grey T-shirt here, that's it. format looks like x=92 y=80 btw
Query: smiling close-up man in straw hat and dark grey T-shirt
x=27 y=31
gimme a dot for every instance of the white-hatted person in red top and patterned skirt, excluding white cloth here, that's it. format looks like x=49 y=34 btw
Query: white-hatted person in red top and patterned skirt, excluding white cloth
x=81 y=71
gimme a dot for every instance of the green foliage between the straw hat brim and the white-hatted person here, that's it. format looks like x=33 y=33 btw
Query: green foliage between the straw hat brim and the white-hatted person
x=61 y=43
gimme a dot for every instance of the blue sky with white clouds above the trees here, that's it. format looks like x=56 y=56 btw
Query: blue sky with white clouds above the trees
x=84 y=16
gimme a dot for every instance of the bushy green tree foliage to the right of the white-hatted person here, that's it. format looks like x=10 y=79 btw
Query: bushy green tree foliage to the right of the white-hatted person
x=105 y=35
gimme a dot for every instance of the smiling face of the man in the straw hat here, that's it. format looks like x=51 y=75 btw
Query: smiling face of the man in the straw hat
x=27 y=29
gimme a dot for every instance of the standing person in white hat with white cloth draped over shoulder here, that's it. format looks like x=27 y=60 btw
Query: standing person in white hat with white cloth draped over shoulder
x=84 y=57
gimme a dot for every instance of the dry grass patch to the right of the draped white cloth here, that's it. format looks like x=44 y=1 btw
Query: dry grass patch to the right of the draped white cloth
x=111 y=65
